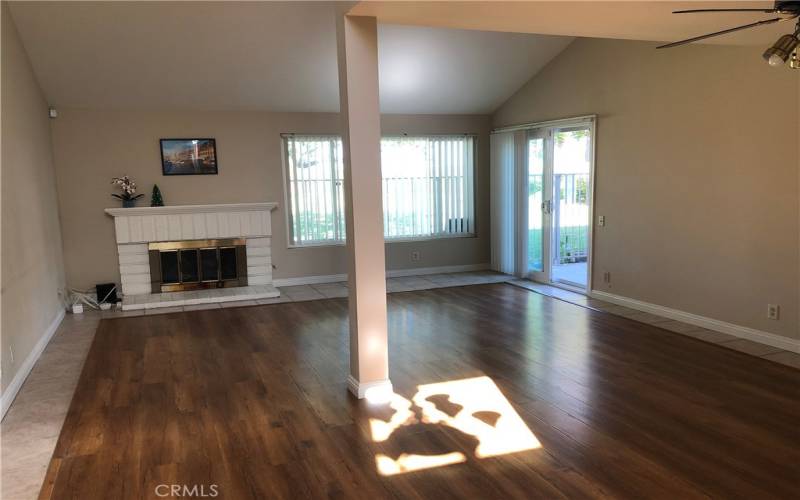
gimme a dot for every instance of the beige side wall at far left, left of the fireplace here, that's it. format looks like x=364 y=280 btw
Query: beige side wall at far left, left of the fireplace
x=32 y=266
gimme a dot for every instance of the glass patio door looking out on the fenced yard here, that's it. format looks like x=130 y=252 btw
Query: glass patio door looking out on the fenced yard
x=559 y=175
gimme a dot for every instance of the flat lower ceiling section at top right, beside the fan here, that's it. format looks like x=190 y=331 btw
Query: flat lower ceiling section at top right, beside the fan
x=628 y=20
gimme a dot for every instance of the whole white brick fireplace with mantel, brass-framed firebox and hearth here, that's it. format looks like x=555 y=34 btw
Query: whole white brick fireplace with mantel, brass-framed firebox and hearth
x=216 y=240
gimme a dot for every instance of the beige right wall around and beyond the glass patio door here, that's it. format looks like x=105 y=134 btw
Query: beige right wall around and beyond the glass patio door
x=697 y=173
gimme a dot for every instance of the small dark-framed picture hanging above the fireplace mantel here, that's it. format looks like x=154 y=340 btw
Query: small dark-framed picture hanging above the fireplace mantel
x=188 y=156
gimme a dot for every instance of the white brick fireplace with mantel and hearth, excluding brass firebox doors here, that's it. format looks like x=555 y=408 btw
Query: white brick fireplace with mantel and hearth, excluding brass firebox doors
x=136 y=228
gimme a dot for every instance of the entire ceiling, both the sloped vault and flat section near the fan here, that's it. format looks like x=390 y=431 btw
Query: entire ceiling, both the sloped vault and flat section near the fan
x=435 y=57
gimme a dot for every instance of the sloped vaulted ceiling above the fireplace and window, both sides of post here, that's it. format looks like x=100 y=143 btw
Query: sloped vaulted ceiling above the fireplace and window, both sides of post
x=262 y=56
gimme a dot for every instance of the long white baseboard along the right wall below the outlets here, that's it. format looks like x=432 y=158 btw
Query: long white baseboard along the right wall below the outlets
x=743 y=332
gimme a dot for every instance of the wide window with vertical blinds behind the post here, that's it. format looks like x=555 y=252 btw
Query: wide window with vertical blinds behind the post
x=428 y=187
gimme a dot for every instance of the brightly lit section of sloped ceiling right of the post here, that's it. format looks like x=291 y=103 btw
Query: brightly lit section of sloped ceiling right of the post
x=430 y=70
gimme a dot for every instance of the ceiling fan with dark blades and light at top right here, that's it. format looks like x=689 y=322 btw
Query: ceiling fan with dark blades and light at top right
x=781 y=51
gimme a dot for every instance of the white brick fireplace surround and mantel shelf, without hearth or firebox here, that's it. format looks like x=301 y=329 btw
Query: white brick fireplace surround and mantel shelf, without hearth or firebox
x=135 y=228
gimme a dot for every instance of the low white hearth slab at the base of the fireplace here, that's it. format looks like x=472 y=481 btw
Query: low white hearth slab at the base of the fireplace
x=198 y=297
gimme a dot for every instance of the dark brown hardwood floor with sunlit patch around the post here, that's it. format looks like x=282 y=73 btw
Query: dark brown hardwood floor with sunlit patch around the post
x=254 y=401
